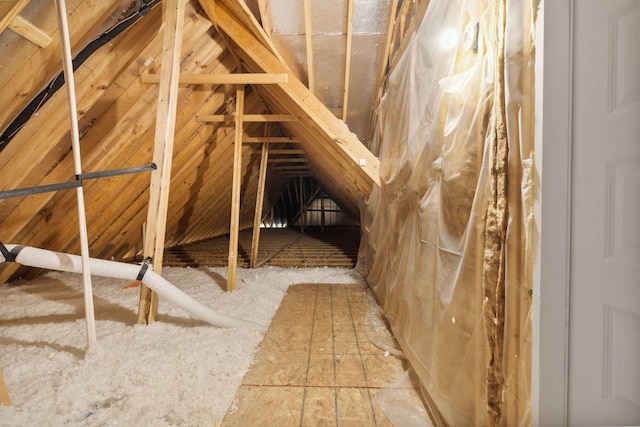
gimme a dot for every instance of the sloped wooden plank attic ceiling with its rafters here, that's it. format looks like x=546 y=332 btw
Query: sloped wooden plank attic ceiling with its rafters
x=117 y=113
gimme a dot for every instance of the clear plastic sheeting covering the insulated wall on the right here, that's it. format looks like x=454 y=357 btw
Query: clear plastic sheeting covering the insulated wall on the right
x=447 y=238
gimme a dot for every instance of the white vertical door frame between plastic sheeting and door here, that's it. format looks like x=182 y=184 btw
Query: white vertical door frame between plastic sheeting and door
x=552 y=210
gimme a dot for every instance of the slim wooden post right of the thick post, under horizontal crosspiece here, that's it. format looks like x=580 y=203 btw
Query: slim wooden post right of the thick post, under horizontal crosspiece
x=235 y=191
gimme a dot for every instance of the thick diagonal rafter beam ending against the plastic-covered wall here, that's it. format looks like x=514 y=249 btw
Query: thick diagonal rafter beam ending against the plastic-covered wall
x=328 y=144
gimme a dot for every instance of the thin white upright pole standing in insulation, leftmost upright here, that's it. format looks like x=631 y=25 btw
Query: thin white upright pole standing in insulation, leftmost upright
x=67 y=66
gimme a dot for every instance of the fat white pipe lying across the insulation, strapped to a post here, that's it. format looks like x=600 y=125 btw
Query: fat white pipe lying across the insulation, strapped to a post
x=51 y=260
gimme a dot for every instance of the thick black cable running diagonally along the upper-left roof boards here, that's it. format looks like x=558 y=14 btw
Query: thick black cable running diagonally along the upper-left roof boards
x=39 y=100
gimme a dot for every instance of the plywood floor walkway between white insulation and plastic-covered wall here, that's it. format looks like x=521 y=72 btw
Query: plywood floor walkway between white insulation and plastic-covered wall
x=314 y=366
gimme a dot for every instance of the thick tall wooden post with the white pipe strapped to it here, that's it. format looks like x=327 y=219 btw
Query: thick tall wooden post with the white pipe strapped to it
x=173 y=13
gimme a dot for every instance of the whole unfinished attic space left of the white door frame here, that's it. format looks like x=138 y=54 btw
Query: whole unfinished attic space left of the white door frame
x=402 y=130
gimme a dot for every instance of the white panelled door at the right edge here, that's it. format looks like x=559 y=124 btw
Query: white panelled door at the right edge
x=604 y=328
